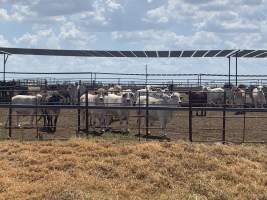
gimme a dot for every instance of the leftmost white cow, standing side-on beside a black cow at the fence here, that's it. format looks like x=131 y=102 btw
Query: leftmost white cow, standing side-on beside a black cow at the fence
x=25 y=100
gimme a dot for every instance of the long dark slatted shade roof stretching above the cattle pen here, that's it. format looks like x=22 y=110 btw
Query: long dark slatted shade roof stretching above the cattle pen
x=137 y=54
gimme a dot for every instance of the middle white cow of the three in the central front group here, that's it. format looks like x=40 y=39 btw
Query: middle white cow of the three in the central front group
x=126 y=99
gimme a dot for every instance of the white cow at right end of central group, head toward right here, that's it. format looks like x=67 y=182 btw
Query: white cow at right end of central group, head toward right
x=164 y=116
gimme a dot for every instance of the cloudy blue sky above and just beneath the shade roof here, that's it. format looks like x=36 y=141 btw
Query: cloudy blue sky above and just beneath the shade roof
x=134 y=25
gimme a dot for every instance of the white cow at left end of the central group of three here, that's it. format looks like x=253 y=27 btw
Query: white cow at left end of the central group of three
x=94 y=114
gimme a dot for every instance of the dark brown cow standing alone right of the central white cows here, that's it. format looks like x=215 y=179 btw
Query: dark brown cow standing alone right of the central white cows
x=199 y=99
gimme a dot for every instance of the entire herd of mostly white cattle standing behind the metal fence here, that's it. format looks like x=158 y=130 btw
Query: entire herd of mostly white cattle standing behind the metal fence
x=116 y=96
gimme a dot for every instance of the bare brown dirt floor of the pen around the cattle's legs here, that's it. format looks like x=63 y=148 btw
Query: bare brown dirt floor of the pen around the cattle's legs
x=207 y=128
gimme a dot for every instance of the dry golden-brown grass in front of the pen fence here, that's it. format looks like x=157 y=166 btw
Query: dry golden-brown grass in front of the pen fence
x=113 y=169
